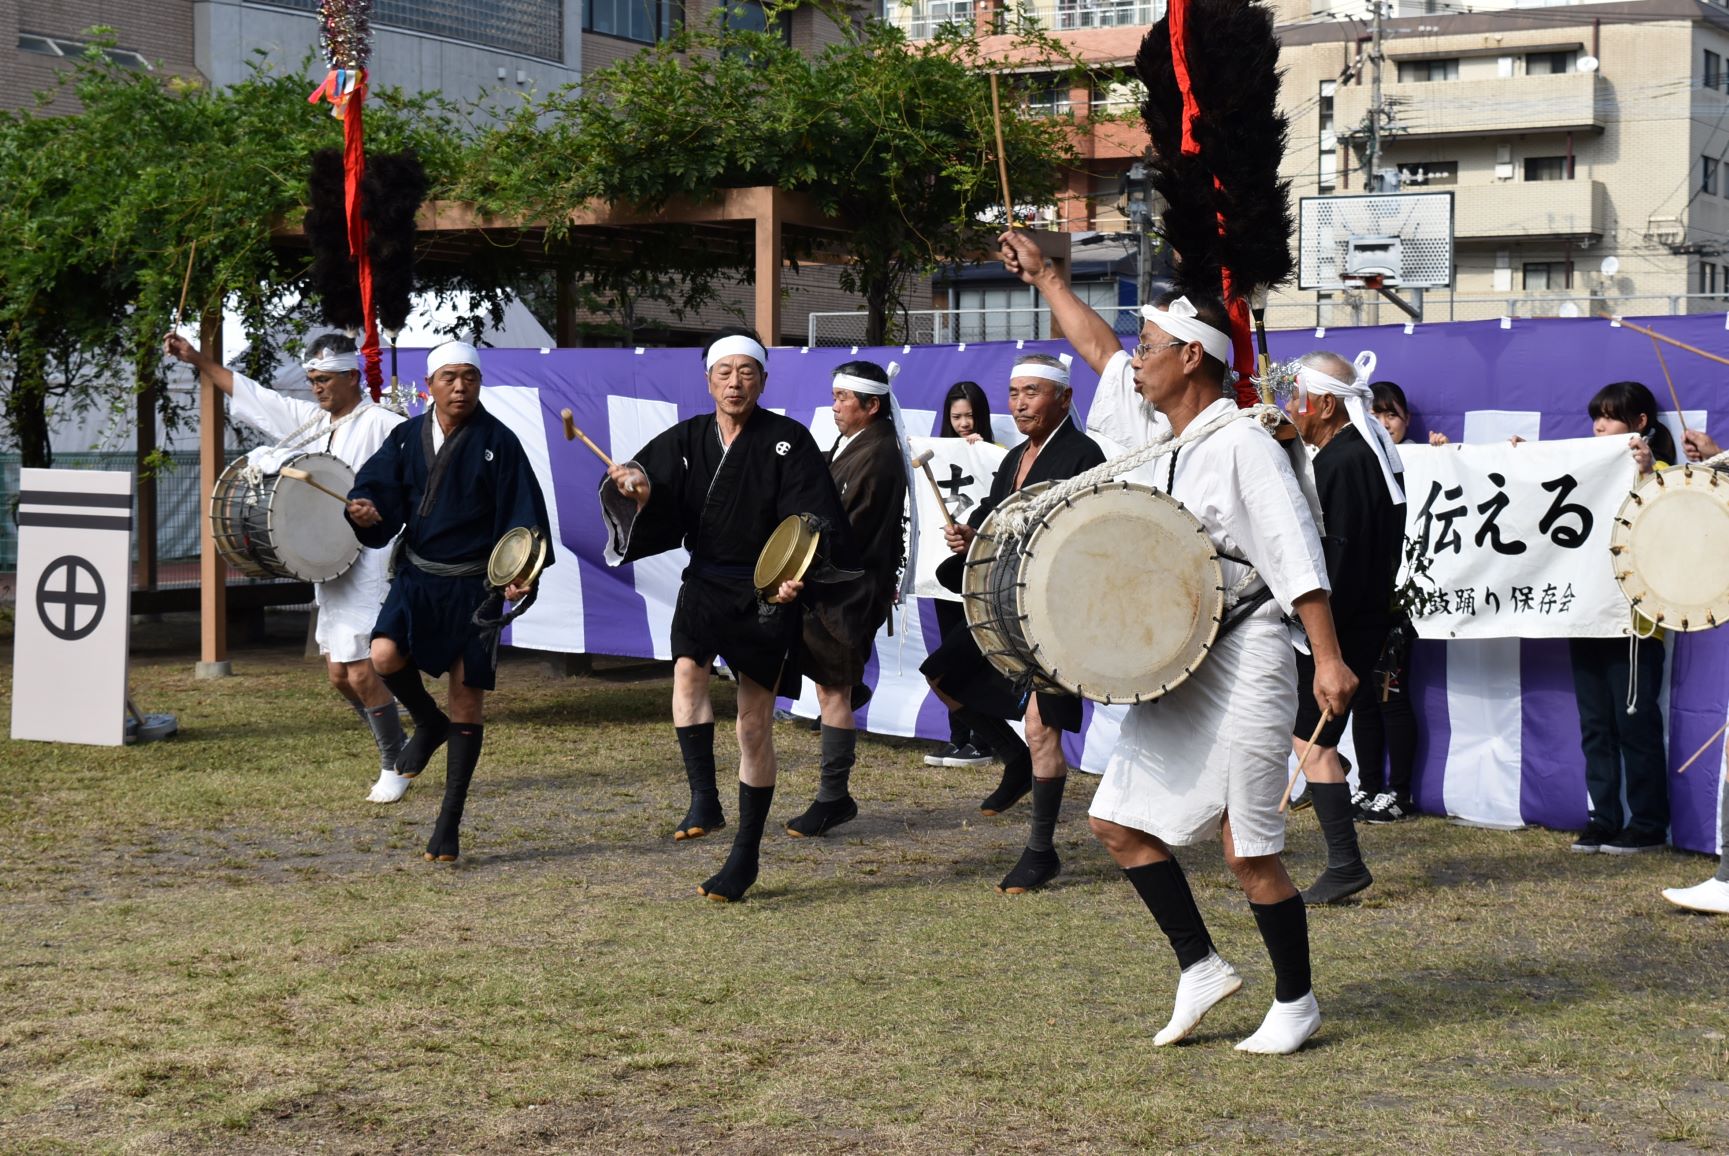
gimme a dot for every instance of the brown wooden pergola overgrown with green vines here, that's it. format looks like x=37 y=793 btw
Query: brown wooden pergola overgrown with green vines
x=772 y=220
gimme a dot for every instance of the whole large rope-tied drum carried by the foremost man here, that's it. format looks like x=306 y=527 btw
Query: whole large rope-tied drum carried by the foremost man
x=1114 y=595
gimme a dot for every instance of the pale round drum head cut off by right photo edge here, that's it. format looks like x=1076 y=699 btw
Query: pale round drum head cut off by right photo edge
x=1671 y=547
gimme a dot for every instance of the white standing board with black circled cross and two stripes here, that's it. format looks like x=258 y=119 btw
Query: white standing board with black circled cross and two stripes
x=73 y=607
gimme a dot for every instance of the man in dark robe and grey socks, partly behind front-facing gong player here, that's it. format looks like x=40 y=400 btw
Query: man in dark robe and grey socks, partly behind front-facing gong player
x=869 y=467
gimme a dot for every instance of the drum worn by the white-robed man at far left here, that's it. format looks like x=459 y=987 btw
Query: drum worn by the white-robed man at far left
x=271 y=524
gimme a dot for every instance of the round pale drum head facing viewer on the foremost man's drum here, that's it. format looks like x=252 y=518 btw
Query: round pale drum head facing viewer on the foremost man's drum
x=1123 y=594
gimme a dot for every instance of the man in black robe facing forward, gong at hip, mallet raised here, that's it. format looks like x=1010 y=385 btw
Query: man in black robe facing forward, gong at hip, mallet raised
x=720 y=485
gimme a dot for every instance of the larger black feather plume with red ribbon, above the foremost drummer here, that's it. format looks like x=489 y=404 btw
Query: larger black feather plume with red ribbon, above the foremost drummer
x=1234 y=65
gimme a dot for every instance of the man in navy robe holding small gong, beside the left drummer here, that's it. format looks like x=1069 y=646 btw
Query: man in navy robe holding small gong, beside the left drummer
x=452 y=481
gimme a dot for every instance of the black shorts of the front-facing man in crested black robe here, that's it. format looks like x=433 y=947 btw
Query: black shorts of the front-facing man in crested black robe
x=724 y=616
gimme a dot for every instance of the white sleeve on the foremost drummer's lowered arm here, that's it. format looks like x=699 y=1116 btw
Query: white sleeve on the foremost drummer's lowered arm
x=1272 y=524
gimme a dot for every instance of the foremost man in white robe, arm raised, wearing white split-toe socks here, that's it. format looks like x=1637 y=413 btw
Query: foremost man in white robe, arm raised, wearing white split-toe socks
x=1211 y=756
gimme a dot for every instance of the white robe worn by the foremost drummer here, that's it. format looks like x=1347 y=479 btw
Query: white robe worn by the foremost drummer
x=1220 y=742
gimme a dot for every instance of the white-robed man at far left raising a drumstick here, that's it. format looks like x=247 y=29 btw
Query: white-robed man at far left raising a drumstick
x=345 y=424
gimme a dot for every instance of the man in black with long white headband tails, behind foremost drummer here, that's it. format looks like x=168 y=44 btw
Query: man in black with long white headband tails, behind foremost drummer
x=1356 y=476
